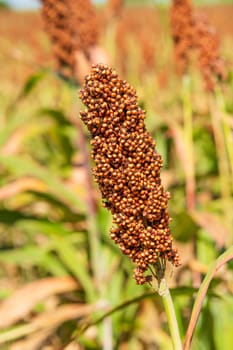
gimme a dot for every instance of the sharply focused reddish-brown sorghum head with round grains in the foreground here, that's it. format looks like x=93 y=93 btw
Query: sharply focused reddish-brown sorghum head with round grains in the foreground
x=127 y=170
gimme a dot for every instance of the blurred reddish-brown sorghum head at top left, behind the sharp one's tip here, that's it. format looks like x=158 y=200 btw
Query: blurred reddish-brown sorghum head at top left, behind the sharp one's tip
x=71 y=26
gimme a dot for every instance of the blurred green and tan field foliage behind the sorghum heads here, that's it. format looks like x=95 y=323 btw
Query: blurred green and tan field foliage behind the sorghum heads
x=63 y=283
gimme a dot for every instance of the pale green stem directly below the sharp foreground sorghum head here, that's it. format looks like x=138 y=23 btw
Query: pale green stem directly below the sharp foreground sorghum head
x=164 y=292
